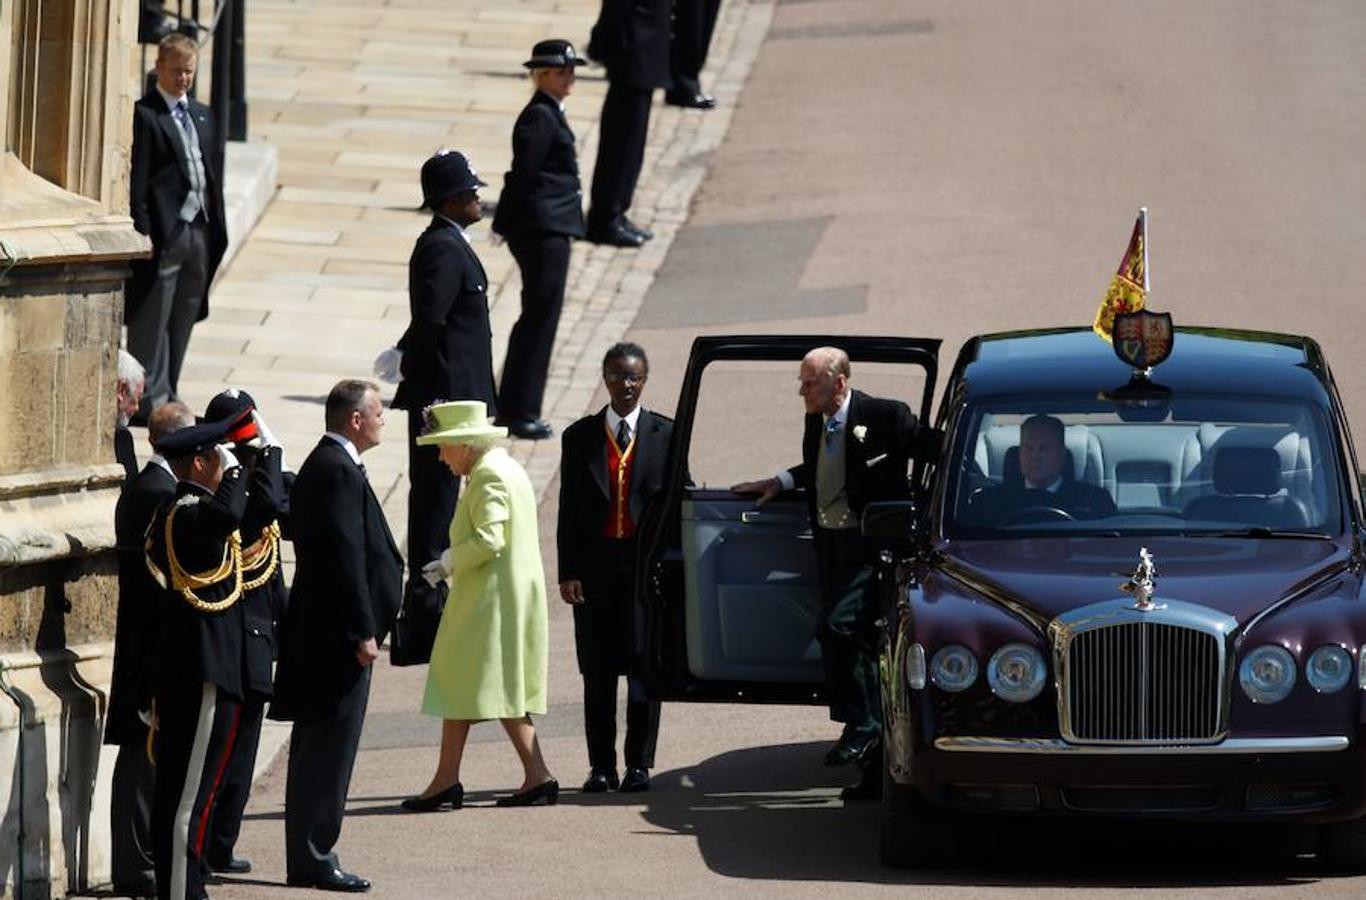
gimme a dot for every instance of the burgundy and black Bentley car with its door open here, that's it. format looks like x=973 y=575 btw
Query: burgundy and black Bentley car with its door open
x=1188 y=644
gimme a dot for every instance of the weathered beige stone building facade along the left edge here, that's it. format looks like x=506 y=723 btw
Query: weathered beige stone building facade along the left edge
x=69 y=79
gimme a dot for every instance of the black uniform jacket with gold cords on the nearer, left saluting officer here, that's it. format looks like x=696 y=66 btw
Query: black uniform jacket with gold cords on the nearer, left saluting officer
x=196 y=645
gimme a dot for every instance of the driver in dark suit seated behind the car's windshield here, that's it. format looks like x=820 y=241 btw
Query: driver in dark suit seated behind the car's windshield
x=1047 y=488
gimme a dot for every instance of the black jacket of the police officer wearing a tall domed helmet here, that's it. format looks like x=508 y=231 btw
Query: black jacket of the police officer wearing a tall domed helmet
x=449 y=346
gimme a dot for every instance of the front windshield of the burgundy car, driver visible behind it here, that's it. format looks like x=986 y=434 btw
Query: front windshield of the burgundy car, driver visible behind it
x=1190 y=465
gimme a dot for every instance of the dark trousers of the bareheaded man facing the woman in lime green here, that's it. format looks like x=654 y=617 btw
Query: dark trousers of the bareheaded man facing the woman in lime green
x=322 y=757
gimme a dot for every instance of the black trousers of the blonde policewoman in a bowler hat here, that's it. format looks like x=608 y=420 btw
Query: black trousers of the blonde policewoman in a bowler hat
x=544 y=262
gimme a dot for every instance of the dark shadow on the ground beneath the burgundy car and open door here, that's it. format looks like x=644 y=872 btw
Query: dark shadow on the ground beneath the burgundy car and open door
x=775 y=813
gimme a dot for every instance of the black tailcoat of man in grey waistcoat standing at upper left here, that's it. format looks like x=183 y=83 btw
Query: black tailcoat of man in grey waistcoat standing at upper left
x=159 y=184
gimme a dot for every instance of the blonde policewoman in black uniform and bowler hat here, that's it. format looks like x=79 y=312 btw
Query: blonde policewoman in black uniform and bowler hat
x=540 y=210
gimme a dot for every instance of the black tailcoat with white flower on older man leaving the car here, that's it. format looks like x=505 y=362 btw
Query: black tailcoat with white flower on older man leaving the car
x=880 y=440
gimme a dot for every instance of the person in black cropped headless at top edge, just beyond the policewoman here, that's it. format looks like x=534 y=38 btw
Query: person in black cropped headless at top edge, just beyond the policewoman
x=632 y=39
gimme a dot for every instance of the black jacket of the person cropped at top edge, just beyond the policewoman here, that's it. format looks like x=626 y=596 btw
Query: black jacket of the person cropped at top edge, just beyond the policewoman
x=632 y=39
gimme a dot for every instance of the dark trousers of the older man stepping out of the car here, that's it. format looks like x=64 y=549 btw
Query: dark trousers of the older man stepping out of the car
x=848 y=629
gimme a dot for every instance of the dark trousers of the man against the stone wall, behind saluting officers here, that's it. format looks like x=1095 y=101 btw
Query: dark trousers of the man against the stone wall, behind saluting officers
x=130 y=816
